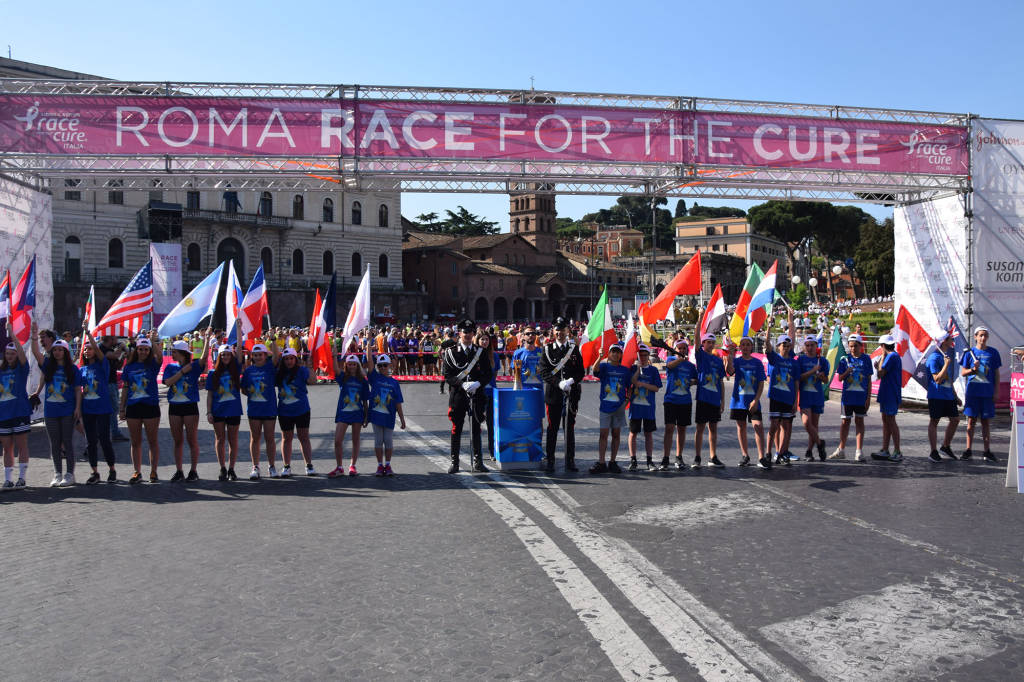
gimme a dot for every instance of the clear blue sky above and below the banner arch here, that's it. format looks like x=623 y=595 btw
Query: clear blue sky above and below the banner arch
x=940 y=56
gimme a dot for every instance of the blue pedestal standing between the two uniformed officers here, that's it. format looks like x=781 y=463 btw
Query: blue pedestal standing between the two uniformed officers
x=519 y=428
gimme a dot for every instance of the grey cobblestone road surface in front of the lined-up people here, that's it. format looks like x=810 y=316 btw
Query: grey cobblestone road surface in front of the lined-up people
x=821 y=571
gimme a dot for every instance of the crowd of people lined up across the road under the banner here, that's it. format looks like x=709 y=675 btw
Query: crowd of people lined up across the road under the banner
x=117 y=381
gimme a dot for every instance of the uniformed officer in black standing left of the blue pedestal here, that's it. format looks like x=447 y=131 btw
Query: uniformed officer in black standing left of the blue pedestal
x=466 y=369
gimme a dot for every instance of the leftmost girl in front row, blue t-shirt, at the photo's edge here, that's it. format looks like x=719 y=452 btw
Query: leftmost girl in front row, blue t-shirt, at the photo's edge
x=16 y=411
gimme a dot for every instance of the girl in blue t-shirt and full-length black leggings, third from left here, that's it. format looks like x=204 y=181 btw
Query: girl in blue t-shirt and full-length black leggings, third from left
x=93 y=403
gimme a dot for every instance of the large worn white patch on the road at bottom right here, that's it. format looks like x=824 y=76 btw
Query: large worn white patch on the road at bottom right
x=911 y=631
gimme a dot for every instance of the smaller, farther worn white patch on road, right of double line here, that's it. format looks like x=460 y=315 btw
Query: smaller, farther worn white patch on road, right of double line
x=693 y=514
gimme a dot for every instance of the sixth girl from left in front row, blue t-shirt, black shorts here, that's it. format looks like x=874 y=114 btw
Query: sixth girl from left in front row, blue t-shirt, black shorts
x=224 y=406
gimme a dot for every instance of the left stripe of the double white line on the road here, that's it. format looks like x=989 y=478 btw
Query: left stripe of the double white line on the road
x=627 y=653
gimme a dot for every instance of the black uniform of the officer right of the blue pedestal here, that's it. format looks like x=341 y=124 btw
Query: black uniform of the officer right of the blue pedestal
x=557 y=400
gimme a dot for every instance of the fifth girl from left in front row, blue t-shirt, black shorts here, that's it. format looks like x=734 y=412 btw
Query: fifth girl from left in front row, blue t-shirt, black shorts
x=182 y=377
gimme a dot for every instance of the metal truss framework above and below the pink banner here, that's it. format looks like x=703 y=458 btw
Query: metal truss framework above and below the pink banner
x=490 y=177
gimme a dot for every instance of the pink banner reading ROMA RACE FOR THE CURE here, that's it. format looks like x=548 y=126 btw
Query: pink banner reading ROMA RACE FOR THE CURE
x=303 y=129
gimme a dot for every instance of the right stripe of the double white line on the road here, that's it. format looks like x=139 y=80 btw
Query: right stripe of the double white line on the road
x=711 y=658
